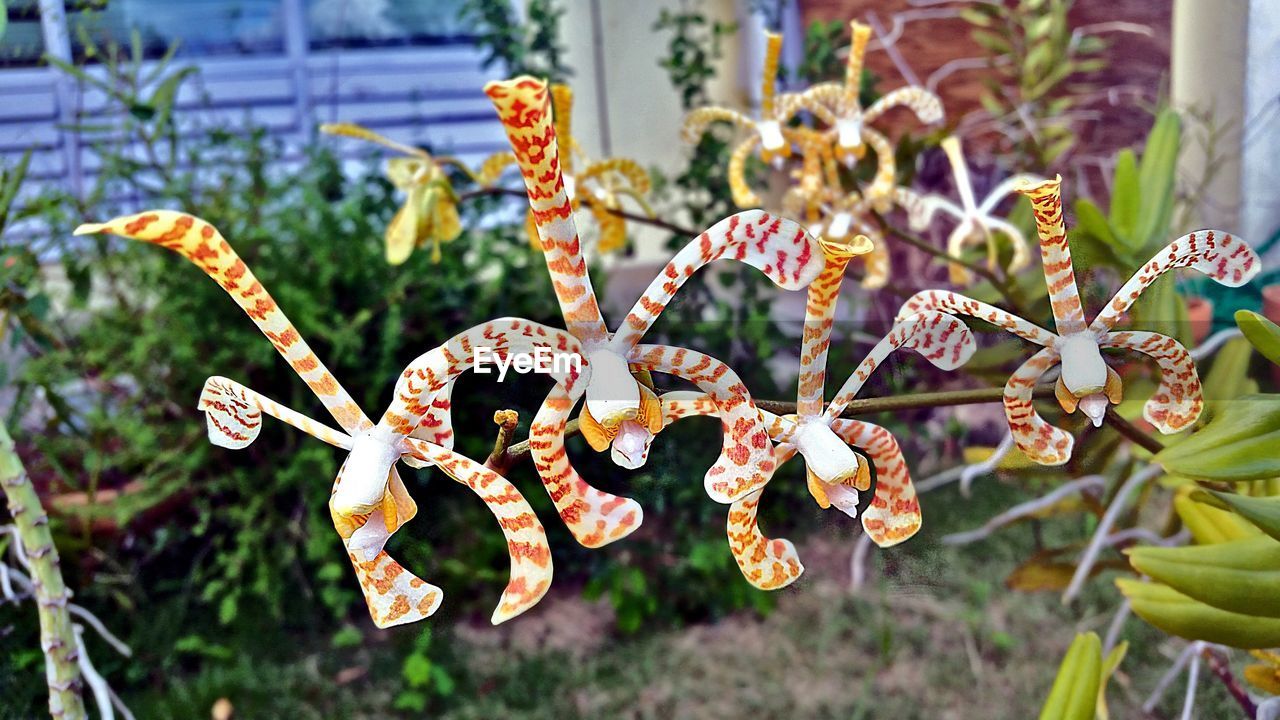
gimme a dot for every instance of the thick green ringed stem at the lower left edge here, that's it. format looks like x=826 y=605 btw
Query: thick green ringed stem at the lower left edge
x=57 y=637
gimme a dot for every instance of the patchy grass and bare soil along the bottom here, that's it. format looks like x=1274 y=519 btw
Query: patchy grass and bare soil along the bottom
x=935 y=636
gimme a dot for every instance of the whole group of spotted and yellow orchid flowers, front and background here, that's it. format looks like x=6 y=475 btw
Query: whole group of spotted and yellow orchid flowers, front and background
x=853 y=466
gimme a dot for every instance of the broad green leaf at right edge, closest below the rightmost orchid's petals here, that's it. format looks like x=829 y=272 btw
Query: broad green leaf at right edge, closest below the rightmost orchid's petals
x=1238 y=445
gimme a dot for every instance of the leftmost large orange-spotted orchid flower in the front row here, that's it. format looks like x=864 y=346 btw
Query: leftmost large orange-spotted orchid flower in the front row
x=369 y=502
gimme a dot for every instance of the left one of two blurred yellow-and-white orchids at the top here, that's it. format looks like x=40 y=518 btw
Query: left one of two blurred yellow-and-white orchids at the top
x=770 y=133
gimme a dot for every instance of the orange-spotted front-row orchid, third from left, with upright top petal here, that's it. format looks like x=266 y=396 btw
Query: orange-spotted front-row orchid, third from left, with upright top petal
x=835 y=473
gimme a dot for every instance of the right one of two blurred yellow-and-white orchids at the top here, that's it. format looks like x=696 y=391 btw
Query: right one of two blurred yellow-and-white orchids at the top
x=839 y=107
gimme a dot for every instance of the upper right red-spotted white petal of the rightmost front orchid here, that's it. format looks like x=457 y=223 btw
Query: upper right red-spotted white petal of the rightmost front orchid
x=1226 y=259
